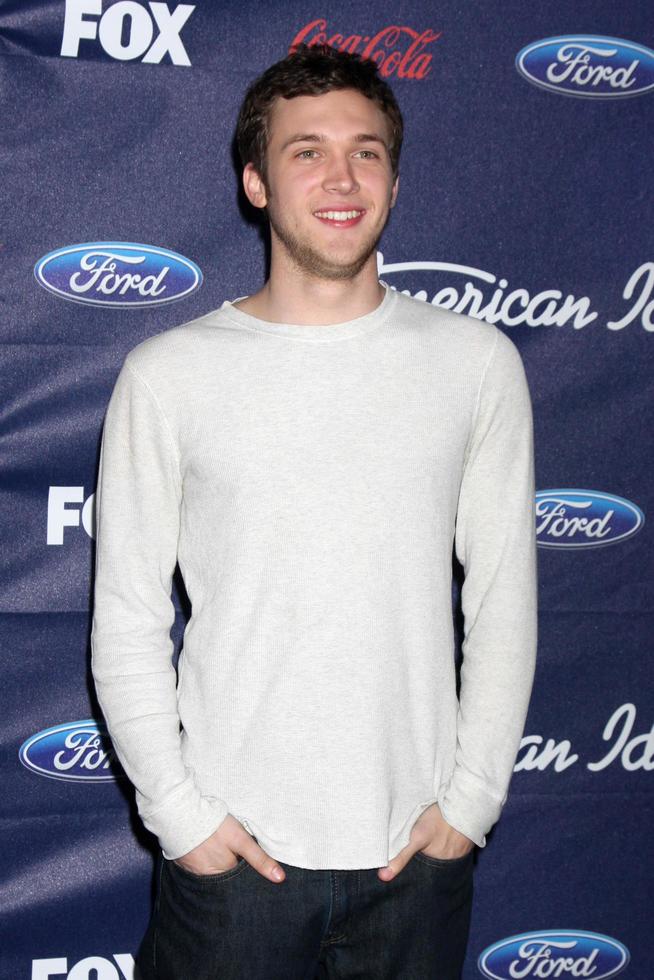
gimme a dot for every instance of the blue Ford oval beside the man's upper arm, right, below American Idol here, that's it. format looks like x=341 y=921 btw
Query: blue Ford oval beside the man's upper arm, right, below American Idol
x=584 y=518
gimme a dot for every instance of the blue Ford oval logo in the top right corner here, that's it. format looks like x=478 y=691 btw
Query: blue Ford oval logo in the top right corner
x=588 y=65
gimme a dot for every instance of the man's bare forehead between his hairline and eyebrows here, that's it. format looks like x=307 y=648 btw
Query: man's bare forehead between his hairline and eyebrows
x=340 y=114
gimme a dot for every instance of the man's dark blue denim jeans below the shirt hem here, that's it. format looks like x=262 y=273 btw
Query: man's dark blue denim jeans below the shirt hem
x=314 y=925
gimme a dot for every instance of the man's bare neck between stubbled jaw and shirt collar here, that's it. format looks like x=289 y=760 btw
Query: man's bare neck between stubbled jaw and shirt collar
x=292 y=296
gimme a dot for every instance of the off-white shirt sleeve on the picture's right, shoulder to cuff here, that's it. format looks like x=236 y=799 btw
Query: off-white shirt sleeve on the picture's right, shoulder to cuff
x=495 y=541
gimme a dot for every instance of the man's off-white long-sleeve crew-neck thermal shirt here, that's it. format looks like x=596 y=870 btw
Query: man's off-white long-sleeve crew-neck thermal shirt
x=312 y=481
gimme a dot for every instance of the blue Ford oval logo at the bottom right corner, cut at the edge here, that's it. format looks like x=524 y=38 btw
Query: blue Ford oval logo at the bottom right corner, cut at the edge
x=559 y=953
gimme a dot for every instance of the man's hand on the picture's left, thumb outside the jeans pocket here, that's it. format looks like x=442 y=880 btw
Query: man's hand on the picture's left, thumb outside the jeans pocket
x=220 y=853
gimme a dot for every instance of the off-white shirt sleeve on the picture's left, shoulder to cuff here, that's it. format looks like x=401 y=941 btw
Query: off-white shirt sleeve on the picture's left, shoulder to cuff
x=138 y=501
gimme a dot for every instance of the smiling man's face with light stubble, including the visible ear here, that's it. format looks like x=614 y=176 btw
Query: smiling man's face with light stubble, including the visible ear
x=329 y=184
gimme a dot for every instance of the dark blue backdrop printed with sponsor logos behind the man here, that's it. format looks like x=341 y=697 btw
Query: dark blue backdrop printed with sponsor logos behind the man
x=526 y=201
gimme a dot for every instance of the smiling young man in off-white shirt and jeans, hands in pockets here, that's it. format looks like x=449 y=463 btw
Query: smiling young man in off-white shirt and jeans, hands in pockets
x=311 y=455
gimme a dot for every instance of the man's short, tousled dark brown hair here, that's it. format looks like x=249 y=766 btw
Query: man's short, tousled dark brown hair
x=312 y=70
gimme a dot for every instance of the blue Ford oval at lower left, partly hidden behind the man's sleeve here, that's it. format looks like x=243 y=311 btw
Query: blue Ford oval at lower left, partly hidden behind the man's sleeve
x=79 y=751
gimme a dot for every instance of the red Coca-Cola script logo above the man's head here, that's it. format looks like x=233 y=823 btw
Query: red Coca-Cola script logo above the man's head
x=397 y=49
